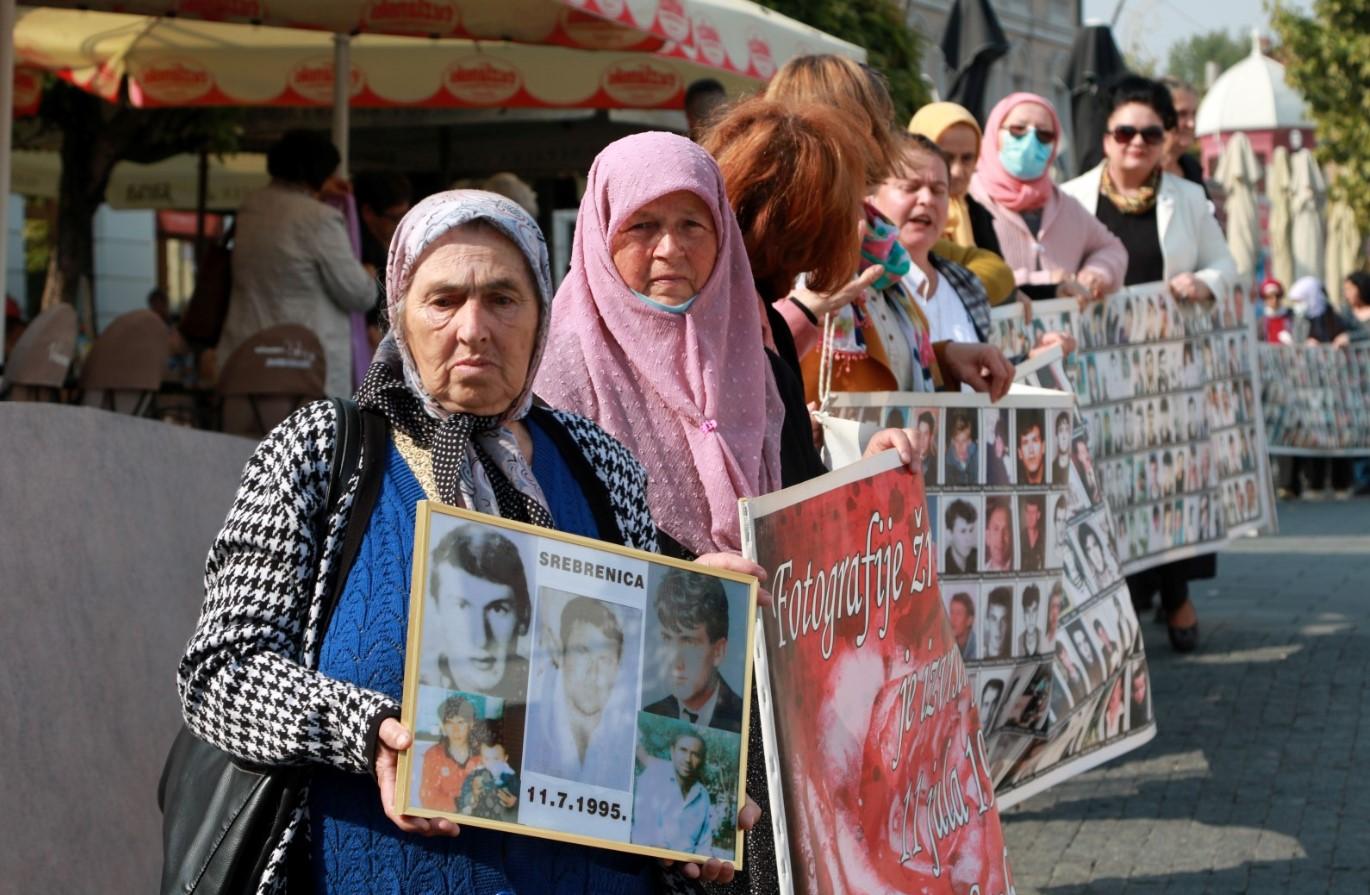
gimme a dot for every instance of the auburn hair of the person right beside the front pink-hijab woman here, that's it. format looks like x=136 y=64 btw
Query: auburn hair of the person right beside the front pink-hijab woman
x=794 y=188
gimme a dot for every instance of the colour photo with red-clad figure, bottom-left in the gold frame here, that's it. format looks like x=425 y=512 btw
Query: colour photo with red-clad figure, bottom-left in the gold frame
x=466 y=755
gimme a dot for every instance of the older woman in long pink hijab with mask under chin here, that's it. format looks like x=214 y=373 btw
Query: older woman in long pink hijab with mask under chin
x=658 y=336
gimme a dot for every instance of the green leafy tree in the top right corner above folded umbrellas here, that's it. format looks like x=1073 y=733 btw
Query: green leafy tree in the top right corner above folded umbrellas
x=1328 y=60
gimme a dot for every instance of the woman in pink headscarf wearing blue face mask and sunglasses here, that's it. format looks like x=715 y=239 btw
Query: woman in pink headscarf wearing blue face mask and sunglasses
x=1051 y=242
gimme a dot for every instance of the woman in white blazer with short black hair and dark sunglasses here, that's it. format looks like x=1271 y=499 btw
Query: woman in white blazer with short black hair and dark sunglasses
x=1171 y=235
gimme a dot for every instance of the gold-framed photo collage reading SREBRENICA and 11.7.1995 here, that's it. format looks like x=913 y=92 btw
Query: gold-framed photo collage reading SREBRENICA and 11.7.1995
x=532 y=646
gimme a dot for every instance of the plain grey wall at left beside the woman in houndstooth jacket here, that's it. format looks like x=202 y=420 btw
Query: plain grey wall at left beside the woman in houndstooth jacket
x=105 y=527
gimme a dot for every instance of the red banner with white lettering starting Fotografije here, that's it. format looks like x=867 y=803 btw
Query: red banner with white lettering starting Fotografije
x=877 y=767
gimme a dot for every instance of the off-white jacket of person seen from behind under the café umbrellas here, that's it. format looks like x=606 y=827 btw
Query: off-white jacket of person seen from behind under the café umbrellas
x=294 y=264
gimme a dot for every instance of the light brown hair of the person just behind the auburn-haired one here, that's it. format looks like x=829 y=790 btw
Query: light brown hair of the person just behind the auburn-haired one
x=858 y=91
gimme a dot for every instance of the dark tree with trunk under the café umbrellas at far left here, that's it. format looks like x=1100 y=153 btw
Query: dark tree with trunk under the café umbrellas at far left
x=97 y=136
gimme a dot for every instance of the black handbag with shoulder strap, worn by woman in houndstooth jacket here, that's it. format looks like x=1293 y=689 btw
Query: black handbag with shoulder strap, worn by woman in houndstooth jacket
x=221 y=816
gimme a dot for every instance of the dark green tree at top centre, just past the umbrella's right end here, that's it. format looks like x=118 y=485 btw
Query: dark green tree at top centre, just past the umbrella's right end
x=877 y=25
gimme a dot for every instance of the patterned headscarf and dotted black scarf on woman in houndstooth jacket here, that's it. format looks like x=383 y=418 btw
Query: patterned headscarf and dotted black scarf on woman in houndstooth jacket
x=476 y=460
